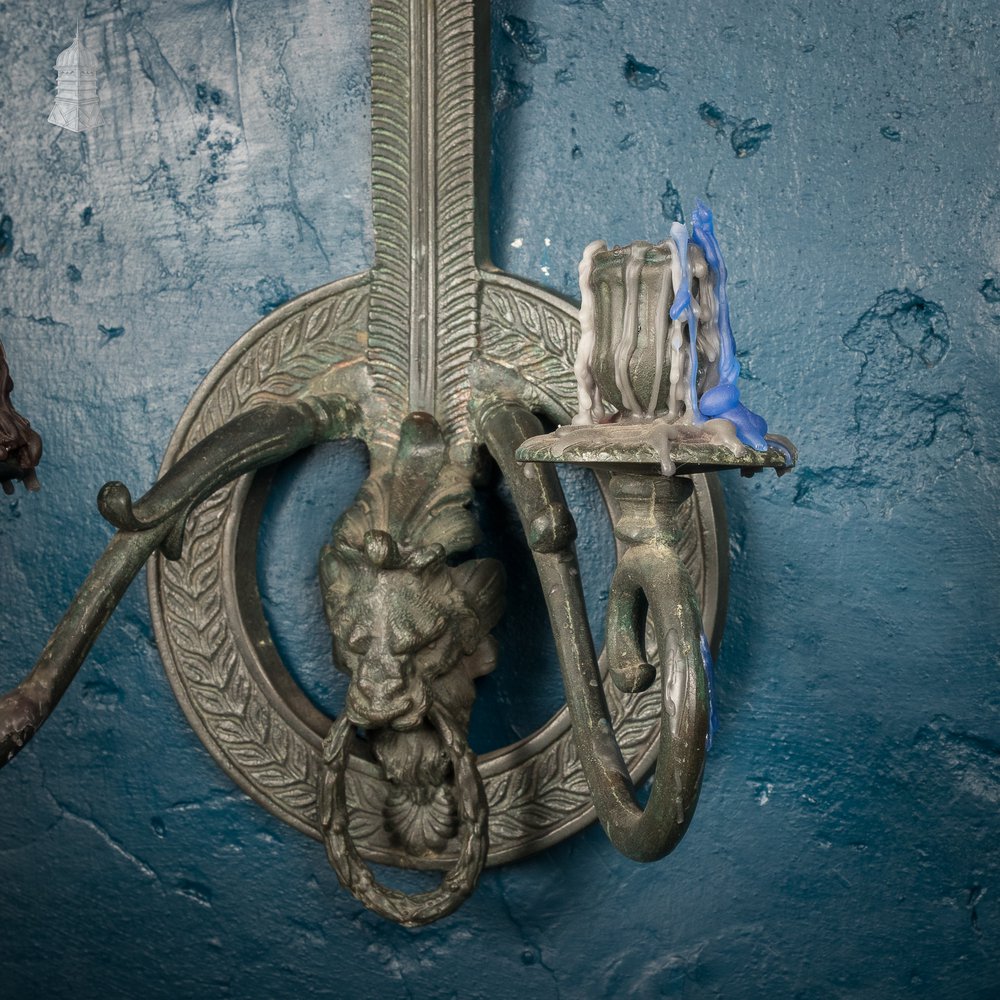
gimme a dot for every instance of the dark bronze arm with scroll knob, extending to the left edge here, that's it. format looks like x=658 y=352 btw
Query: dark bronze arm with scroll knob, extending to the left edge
x=258 y=437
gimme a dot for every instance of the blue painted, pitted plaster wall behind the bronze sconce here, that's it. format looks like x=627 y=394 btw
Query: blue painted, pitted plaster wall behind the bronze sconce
x=847 y=842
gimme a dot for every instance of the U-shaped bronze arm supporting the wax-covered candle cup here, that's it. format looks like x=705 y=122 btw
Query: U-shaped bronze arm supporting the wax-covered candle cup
x=650 y=579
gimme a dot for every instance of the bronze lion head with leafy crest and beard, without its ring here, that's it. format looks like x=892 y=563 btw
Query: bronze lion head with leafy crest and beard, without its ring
x=409 y=626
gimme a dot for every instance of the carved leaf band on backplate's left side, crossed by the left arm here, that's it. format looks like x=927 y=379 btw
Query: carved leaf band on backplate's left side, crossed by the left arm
x=249 y=736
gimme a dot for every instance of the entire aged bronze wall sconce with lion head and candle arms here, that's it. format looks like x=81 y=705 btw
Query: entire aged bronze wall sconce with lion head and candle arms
x=442 y=364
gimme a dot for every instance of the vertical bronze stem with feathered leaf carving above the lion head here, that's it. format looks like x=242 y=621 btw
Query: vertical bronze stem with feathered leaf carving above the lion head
x=425 y=279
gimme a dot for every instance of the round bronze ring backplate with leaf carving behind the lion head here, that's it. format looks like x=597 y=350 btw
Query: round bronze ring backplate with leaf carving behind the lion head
x=237 y=694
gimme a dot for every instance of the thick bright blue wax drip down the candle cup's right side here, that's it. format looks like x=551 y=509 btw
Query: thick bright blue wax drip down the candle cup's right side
x=723 y=399
